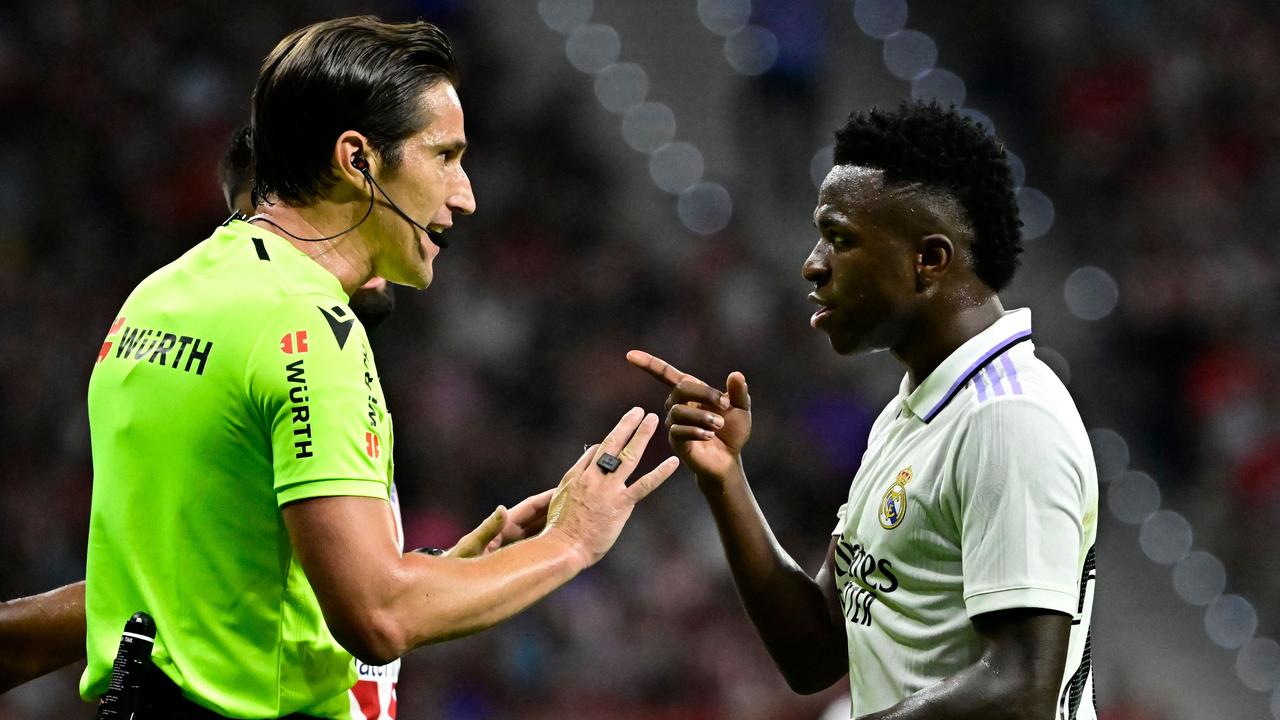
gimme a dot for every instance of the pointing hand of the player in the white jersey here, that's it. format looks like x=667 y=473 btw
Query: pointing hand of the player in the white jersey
x=706 y=427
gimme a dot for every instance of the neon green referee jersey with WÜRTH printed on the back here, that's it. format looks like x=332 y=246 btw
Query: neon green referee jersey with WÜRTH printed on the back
x=234 y=381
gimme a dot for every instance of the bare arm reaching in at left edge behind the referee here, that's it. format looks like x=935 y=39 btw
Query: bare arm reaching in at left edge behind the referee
x=40 y=635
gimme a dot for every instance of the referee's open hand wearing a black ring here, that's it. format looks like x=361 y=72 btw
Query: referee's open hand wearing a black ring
x=591 y=507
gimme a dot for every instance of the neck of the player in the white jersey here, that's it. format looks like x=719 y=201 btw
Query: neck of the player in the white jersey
x=940 y=331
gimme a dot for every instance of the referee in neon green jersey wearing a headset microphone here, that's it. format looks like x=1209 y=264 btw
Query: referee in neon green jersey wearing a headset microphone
x=241 y=440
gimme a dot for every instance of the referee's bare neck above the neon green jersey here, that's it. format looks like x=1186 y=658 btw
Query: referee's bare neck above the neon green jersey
x=346 y=257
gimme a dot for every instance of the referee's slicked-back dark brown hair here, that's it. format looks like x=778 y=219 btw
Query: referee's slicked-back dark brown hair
x=349 y=74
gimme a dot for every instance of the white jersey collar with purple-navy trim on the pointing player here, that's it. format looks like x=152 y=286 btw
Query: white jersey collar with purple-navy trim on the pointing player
x=947 y=380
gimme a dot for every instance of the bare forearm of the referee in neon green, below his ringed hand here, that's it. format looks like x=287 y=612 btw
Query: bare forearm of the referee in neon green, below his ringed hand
x=428 y=600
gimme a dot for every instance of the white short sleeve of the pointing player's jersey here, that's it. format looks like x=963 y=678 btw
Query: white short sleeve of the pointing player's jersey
x=1021 y=494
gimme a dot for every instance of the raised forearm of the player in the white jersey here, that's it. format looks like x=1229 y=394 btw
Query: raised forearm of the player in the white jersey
x=785 y=604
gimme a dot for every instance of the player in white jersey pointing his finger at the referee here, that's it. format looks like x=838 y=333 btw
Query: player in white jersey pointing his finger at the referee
x=958 y=584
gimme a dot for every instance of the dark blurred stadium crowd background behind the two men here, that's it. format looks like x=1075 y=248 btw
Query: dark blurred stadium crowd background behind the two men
x=644 y=175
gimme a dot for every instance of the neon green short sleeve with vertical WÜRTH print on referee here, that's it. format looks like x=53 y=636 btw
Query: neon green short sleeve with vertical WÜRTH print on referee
x=309 y=379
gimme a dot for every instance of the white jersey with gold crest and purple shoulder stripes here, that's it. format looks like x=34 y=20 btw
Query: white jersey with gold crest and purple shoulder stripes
x=977 y=494
